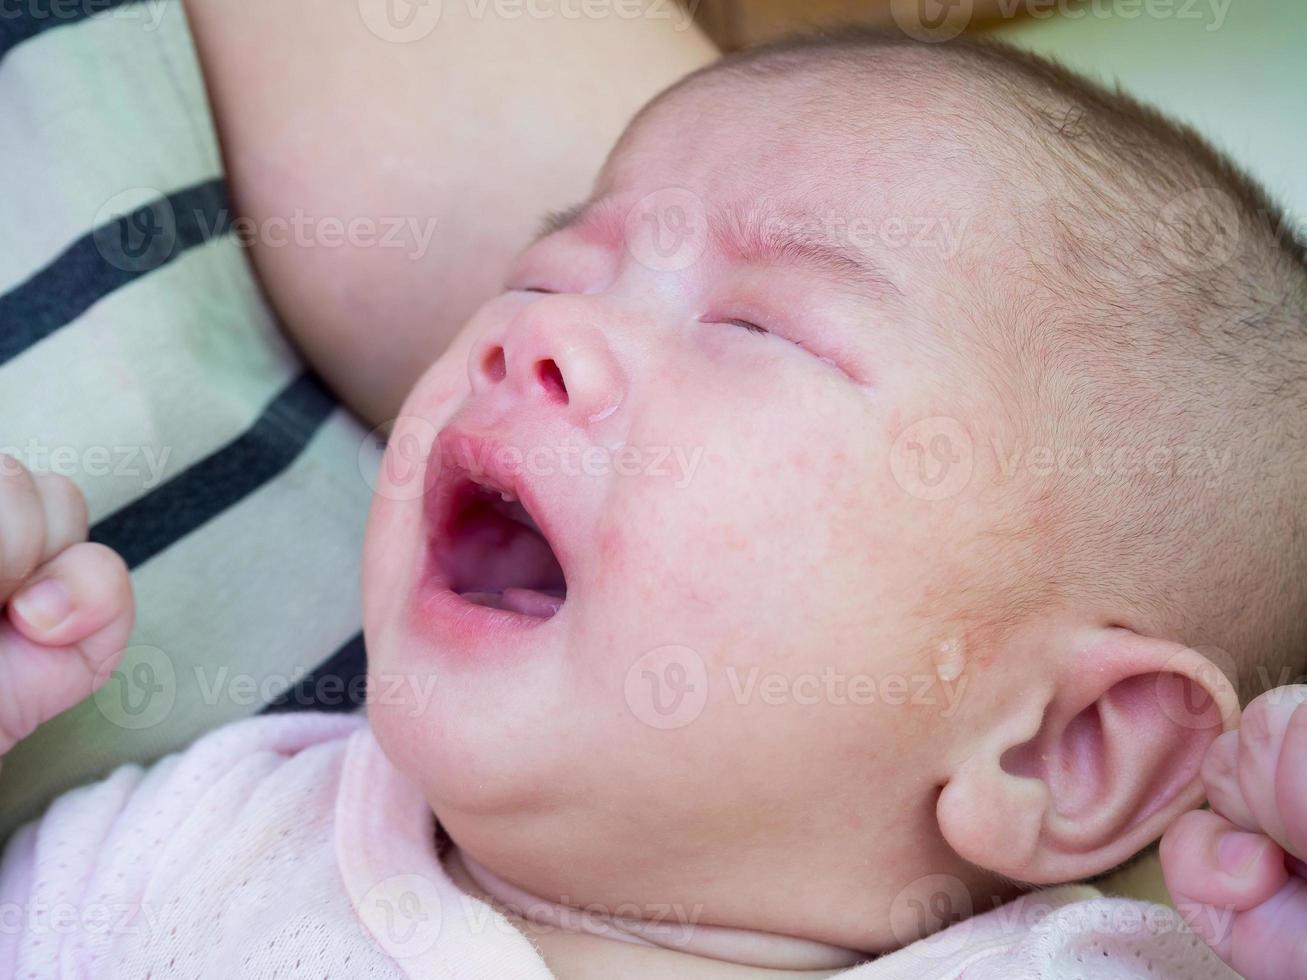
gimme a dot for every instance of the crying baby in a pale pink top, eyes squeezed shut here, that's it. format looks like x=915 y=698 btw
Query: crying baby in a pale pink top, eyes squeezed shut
x=871 y=505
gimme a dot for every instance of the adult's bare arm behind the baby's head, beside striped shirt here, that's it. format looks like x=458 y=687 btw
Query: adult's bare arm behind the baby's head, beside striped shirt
x=431 y=147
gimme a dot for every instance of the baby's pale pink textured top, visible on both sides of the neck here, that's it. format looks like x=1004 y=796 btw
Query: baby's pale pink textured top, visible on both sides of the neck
x=291 y=847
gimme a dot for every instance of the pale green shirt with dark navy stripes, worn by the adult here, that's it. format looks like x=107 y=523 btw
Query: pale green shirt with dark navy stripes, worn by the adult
x=139 y=357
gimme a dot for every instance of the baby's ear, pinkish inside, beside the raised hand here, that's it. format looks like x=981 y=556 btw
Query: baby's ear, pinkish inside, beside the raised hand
x=1093 y=765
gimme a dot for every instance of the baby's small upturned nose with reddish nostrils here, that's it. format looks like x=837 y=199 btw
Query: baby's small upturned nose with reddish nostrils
x=555 y=355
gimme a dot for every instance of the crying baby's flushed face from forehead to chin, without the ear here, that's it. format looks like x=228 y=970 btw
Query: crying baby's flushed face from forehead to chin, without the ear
x=716 y=667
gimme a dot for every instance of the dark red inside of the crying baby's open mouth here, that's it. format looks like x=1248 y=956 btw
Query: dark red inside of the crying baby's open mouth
x=491 y=552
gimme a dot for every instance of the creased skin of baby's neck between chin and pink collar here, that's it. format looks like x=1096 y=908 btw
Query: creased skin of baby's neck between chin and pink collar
x=577 y=944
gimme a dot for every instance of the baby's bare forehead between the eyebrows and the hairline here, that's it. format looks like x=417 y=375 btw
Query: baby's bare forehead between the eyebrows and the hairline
x=855 y=159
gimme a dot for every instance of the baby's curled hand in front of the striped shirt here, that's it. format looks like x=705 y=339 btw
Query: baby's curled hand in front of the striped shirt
x=69 y=604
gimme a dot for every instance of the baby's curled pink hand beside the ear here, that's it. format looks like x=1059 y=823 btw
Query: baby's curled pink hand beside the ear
x=1237 y=874
